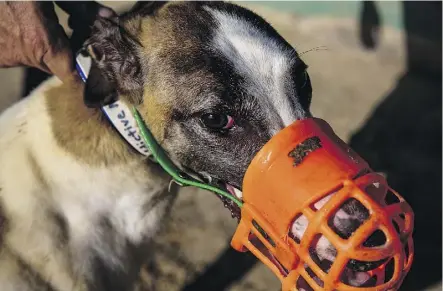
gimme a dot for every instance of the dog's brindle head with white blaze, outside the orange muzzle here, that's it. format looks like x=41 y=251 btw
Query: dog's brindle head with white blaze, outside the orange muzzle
x=213 y=81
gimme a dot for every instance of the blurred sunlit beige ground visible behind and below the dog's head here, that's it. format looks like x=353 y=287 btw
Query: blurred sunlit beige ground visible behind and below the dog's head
x=349 y=83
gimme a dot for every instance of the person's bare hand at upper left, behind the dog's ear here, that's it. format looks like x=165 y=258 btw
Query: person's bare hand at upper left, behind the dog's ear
x=30 y=35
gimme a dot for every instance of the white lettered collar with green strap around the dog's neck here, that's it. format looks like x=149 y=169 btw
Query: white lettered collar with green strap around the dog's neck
x=131 y=126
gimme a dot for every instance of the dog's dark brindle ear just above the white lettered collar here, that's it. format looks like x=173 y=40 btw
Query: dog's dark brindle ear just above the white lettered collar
x=116 y=68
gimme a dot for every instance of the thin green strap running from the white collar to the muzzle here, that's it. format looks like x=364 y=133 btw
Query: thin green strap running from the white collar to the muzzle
x=164 y=161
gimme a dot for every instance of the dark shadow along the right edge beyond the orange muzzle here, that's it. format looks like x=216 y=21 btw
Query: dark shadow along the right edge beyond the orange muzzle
x=403 y=137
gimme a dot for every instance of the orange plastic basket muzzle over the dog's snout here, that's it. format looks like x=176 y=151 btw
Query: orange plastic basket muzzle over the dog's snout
x=301 y=187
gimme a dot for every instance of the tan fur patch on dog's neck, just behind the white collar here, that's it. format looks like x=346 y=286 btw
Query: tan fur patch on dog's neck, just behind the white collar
x=83 y=132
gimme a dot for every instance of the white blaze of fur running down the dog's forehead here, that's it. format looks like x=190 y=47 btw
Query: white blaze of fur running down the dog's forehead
x=263 y=62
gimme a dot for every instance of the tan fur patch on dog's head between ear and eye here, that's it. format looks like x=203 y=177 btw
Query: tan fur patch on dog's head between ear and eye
x=162 y=41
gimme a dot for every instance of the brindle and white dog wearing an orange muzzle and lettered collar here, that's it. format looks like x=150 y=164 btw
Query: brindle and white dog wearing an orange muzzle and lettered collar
x=79 y=207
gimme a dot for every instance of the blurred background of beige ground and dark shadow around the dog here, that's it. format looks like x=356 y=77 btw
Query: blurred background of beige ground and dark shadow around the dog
x=377 y=79
